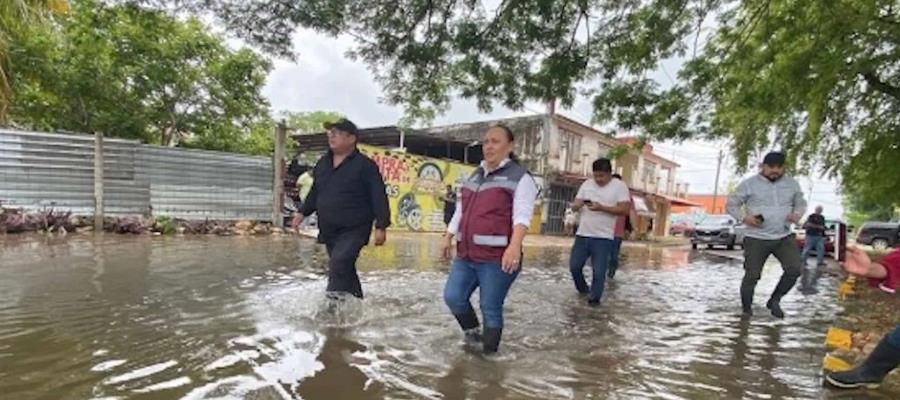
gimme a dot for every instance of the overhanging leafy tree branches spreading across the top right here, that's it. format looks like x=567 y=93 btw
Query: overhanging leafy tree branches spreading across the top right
x=818 y=78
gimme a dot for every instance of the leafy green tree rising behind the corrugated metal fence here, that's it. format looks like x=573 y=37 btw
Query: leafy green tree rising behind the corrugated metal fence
x=134 y=72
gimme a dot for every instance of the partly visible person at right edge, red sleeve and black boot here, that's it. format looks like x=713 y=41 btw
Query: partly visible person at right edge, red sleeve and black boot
x=886 y=355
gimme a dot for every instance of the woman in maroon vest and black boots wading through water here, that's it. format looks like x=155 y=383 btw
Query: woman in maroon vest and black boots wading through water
x=489 y=224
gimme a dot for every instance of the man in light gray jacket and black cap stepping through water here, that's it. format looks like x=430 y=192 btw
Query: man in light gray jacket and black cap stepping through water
x=768 y=203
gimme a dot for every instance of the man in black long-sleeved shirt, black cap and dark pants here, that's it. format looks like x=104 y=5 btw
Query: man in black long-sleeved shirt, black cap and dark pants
x=348 y=195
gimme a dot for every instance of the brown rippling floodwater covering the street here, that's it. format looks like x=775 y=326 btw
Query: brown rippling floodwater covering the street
x=111 y=317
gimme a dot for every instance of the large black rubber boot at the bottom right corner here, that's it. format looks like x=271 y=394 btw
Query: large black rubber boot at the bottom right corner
x=880 y=362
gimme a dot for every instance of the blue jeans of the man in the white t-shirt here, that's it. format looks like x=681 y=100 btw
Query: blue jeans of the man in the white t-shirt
x=599 y=251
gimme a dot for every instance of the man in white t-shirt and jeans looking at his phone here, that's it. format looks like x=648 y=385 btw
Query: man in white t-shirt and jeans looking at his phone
x=601 y=200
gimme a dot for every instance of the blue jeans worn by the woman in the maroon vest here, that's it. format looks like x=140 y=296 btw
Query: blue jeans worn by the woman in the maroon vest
x=493 y=283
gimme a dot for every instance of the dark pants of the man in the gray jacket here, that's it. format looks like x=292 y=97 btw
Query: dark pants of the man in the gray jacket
x=756 y=252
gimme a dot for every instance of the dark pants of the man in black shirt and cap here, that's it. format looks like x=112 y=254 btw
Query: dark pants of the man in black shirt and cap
x=343 y=250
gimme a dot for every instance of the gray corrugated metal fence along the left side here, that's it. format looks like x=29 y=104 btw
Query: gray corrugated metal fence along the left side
x=44 y=170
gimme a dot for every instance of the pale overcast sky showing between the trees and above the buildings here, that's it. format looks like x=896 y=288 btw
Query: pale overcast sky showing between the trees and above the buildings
x=323 y=78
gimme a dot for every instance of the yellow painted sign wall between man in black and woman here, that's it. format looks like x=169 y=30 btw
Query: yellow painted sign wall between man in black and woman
x=416 y=186
